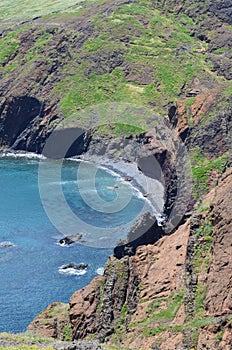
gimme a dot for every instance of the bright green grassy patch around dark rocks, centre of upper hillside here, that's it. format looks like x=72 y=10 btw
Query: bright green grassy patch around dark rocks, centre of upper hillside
x=159 y=65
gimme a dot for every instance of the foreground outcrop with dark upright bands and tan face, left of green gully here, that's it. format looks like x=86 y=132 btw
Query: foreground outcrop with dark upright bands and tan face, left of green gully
x=129 y=286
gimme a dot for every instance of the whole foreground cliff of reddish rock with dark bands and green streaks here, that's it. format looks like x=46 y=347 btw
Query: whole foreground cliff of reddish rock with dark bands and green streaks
x=175 y=293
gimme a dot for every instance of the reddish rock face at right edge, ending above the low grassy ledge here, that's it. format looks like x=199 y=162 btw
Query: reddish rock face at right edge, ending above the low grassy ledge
x=219 y=293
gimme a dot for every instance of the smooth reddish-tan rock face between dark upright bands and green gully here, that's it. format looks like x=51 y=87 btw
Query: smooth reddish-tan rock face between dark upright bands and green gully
x=161 y=266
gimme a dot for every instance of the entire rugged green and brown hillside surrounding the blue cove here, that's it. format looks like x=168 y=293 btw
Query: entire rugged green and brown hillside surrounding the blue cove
x=167 y=61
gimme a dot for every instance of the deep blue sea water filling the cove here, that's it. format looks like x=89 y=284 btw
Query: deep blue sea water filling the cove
x=29 y=275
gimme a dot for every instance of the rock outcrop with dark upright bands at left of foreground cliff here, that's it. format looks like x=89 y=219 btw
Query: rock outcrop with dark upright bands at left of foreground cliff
x=97 y=308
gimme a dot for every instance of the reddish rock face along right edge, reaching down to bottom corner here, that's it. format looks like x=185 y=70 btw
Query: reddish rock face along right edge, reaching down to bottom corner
x=218 y=301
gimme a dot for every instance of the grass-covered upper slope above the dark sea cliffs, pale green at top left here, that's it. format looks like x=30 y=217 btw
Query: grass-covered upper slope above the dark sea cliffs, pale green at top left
x=83 y=53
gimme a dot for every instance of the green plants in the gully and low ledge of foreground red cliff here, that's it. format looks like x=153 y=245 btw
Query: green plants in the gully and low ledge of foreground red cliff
x=162 y=311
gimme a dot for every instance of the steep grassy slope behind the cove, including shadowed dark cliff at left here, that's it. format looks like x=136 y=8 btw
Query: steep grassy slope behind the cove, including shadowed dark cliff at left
x=93 y=52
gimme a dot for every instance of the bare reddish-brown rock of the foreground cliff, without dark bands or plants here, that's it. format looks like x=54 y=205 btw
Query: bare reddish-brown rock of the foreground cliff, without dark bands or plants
x=161 y=270
